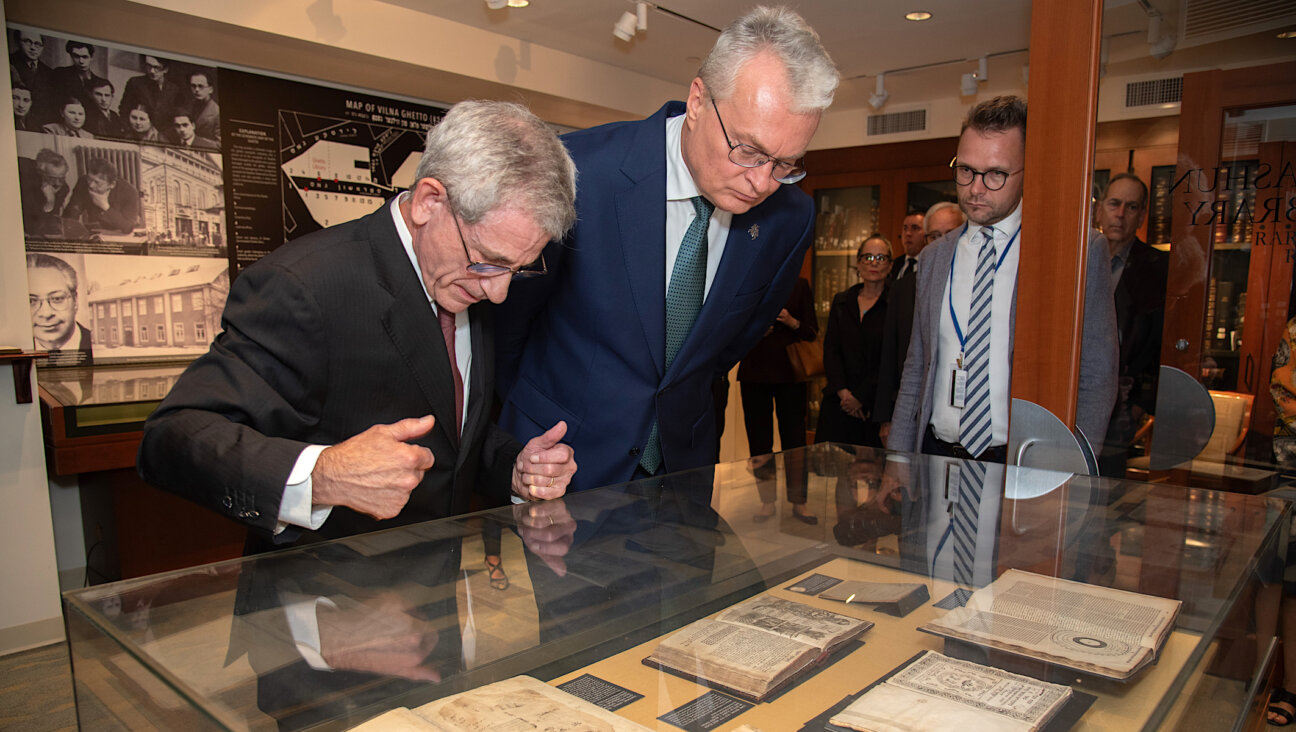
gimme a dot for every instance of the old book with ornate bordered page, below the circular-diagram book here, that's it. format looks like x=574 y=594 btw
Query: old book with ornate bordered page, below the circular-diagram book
x=936 y=692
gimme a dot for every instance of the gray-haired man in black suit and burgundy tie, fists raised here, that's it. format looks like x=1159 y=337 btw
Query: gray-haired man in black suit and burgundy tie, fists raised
x=329 y=406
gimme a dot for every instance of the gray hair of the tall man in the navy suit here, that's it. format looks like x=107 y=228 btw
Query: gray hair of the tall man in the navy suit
x=781 y=32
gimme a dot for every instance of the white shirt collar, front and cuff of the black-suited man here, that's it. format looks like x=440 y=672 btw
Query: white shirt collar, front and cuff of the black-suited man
x=296 y=507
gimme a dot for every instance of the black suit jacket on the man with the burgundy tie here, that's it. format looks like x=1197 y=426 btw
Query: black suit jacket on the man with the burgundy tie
x=323 y=339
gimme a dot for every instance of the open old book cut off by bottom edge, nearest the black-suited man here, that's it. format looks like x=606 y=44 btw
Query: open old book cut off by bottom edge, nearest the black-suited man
x=520 y=703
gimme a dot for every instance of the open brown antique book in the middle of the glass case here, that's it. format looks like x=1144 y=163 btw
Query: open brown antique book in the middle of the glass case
x=758 y=647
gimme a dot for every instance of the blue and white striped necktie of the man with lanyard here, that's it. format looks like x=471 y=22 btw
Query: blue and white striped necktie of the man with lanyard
x=975 y=429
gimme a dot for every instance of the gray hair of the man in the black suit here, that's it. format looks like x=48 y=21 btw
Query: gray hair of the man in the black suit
x=494 y=155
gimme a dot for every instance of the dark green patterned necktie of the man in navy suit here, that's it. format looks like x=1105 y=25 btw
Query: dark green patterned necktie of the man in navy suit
x=684 y=303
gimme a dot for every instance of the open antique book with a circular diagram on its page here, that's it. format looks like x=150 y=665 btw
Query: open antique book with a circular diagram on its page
x=1102 y=632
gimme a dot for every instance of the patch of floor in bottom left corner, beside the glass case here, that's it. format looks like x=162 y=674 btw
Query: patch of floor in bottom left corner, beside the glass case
x=37 y=691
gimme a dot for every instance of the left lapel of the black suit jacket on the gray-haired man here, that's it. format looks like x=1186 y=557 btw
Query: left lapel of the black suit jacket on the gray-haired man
x=410 y=322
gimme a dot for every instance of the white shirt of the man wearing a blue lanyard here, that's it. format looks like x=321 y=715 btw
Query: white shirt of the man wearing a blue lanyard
x=945 y=418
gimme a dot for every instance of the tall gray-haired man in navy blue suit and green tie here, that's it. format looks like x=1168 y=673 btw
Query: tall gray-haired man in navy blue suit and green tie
x=590 y=344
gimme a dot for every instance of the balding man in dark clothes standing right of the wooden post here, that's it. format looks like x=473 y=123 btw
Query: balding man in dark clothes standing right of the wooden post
x=1140 y=275
